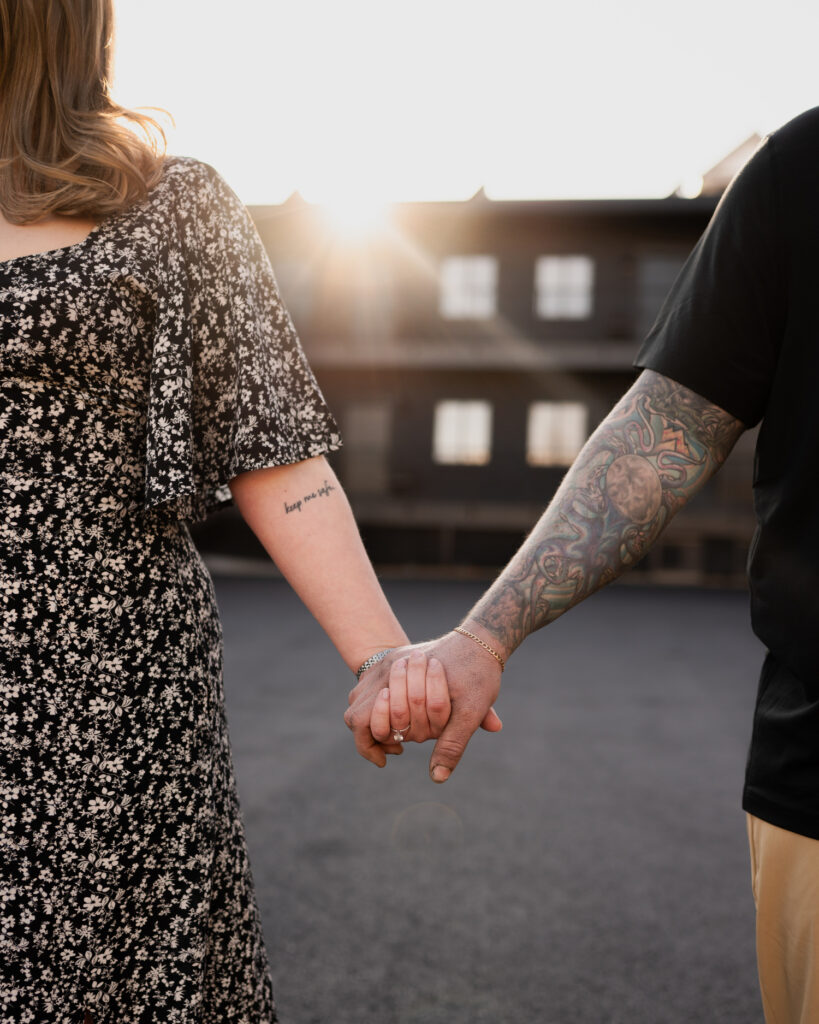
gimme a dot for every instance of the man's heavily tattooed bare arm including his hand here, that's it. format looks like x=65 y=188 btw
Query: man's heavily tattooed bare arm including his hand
x=652 y=454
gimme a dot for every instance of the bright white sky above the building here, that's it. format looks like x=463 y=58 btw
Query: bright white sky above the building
x=435 y=99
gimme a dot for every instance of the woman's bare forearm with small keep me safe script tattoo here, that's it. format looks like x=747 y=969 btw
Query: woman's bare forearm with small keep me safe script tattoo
x=304 y=520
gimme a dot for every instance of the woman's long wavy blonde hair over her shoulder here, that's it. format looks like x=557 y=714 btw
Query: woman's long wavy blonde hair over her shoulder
x=64 y=147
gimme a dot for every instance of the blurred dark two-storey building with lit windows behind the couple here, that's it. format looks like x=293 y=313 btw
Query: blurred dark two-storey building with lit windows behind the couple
x=468 y=350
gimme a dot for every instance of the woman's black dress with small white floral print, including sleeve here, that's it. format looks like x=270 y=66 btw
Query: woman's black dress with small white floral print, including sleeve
x=141 y=370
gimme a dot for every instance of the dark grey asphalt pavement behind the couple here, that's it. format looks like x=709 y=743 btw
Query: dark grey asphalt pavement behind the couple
x=588 y=865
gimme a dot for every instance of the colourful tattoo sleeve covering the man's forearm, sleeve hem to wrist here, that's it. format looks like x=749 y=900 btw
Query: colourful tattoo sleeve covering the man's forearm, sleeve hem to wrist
x=652 y=454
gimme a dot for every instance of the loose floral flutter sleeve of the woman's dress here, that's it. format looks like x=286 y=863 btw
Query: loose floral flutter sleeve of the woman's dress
x=231 y=389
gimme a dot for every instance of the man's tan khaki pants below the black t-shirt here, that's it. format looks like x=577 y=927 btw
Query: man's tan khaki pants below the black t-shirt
x=785 y=870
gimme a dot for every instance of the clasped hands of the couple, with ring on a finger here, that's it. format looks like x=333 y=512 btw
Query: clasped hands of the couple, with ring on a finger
x=443 y=690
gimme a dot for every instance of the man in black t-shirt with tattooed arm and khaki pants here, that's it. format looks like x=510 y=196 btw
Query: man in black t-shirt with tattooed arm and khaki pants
x=737 y=343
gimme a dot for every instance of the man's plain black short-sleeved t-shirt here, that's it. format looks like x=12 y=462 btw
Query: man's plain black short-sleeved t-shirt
x=742 y=328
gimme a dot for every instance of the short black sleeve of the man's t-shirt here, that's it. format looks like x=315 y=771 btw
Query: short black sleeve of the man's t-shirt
x=720 y=330
